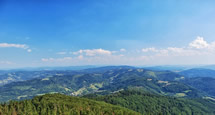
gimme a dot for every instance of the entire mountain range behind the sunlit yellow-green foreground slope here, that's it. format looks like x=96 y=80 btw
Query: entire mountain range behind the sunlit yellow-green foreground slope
x=184 y=92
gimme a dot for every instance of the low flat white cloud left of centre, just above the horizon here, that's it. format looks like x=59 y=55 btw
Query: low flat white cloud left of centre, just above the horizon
x=87 y=56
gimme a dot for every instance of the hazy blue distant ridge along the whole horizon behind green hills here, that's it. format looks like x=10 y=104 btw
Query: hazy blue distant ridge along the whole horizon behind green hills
x=8 y=76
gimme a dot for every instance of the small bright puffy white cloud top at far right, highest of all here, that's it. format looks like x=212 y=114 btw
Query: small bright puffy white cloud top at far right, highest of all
x=199 y=43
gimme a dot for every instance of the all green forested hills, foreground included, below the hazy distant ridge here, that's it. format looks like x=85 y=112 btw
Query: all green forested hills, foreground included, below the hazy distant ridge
x=126 y=89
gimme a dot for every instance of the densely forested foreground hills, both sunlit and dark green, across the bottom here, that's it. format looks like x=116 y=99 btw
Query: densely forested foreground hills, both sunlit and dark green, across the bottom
x=128 y=102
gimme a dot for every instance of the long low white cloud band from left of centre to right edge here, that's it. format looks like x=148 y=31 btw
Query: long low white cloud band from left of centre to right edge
x=197 y=51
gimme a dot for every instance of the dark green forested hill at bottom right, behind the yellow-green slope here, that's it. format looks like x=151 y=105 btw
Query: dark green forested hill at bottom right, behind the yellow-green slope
x=148 y=103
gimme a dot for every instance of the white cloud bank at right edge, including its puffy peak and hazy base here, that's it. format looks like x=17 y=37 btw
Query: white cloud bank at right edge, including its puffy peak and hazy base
x=198 y=51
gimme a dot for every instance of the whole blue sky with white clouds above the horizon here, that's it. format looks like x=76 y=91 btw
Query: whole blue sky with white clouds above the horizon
x=37 y=33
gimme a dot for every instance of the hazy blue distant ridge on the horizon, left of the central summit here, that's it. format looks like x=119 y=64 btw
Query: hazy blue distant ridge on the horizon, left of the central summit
x=8 y=76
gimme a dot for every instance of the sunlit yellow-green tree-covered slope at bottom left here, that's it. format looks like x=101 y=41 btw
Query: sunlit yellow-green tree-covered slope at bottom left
x=58 y=104
